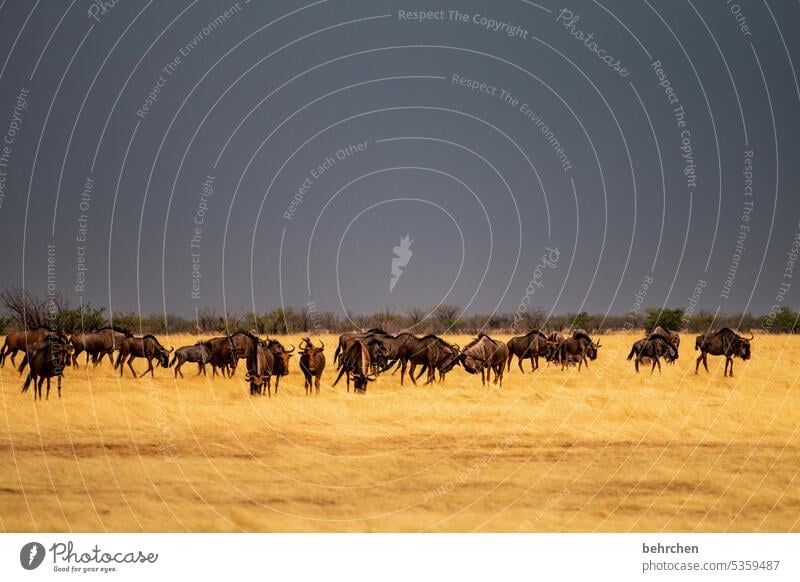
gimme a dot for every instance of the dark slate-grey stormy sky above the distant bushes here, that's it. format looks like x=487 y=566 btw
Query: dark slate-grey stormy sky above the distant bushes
x=557 y=132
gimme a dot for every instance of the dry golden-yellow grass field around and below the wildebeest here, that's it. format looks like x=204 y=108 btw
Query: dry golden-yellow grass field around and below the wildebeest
x=602 y=449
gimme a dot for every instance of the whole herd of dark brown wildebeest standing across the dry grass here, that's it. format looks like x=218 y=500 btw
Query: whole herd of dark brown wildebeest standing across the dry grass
x=360 y=356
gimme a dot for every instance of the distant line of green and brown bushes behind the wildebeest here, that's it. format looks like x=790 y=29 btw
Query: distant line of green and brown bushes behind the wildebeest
x=22 y=309
